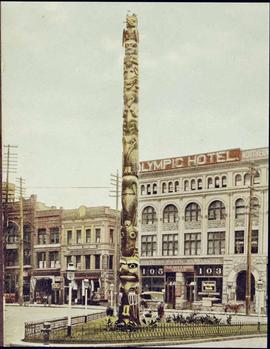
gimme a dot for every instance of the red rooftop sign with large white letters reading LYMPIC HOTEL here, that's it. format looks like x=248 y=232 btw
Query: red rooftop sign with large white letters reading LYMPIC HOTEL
x=191 y=161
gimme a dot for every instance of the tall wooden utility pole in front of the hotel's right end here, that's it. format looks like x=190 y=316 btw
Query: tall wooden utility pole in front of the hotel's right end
x=252 y=172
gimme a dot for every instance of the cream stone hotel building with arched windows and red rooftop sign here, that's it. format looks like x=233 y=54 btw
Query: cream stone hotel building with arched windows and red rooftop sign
x=193 y=217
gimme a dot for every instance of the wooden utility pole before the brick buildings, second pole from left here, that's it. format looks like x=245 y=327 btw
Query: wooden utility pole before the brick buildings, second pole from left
x=21 y=252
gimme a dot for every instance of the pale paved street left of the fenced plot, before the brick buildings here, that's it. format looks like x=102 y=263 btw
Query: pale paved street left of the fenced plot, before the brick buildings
x=16 y=316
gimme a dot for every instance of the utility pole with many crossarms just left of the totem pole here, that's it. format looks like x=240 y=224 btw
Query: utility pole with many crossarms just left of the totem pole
x=115 y=181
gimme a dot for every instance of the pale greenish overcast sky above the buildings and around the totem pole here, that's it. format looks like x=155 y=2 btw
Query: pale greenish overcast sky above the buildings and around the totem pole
x=203 y=87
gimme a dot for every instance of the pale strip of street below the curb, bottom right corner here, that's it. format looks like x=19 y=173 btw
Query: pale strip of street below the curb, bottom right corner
x=257 y=342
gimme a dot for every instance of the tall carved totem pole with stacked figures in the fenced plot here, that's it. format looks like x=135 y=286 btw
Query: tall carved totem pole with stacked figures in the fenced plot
x=129 y=261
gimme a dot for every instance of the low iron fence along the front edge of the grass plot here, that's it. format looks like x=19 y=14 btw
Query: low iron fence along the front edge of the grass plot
x=91 y=333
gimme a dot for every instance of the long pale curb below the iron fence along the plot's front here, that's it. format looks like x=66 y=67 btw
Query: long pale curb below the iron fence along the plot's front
x=138 y=344
